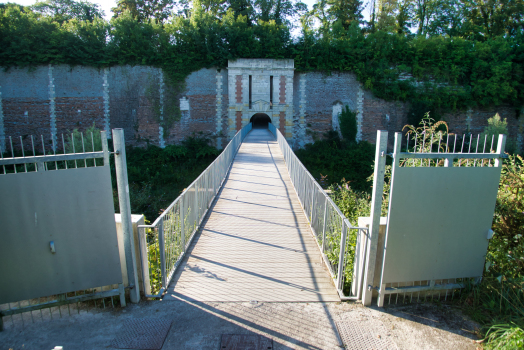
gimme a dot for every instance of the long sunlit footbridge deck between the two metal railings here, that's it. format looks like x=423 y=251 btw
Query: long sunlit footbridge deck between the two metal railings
x=255 y=243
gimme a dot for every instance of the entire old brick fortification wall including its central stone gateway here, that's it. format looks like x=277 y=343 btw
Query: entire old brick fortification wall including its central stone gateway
x=216 y=102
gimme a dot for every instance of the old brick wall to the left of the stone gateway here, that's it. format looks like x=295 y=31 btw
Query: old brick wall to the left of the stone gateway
x=132 y=97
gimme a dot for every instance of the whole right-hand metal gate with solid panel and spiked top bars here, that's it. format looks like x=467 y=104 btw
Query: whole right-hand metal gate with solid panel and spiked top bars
x=454 y=249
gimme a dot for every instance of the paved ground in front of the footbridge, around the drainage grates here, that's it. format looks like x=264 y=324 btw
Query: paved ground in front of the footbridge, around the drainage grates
x=199 y=325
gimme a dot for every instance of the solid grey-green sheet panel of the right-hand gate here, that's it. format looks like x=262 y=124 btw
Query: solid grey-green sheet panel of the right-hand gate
x=438 y=222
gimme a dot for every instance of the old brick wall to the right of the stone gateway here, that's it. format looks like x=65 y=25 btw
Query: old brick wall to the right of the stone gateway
x=323 y=91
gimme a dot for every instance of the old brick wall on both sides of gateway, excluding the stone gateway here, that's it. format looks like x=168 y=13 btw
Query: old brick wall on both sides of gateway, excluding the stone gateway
x=132 y=98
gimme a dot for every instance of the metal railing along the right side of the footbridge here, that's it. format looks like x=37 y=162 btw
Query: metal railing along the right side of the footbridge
x=338 y=240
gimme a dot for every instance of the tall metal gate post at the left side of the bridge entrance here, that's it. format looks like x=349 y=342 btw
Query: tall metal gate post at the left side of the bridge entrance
x=125 y=212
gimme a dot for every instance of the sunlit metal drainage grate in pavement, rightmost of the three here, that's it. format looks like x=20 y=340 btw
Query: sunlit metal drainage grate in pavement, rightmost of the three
x=364 y=335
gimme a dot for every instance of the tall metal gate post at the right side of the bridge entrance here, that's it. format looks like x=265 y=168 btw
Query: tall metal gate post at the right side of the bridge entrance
x=376 y=204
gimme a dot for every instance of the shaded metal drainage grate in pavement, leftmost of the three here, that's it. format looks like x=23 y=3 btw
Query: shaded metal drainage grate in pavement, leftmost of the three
x=143 y=334
